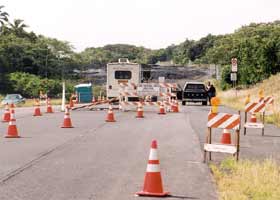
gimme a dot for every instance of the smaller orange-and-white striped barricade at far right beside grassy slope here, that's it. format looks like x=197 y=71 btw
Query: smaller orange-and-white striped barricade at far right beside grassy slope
x=253 y=108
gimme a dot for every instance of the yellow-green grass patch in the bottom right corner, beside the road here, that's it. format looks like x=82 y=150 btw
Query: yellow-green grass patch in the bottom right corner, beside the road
x=247 y=179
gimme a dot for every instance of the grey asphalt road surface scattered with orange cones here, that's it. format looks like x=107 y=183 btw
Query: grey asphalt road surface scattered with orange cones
x=98 y=160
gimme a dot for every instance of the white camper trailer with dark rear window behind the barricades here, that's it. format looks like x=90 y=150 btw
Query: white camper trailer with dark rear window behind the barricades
x=121 y=72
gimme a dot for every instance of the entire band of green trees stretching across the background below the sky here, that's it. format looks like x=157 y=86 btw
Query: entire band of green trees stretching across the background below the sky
x=256 y=46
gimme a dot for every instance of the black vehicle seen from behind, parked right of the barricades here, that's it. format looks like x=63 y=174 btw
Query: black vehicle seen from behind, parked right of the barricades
x=194 y=92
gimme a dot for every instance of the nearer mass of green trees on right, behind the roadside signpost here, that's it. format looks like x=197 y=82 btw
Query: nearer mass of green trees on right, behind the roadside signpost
x=257 y=48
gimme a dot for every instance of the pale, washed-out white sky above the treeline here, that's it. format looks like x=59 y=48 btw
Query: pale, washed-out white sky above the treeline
x=149 y=23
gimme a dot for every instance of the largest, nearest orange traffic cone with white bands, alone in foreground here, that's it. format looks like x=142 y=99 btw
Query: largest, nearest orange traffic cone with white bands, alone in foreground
x=152 y=182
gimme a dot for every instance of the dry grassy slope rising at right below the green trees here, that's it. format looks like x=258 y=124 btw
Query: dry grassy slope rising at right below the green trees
x=271 y=87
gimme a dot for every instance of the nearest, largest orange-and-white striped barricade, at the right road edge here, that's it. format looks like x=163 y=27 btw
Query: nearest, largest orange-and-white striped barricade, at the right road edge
x=222 y=121
